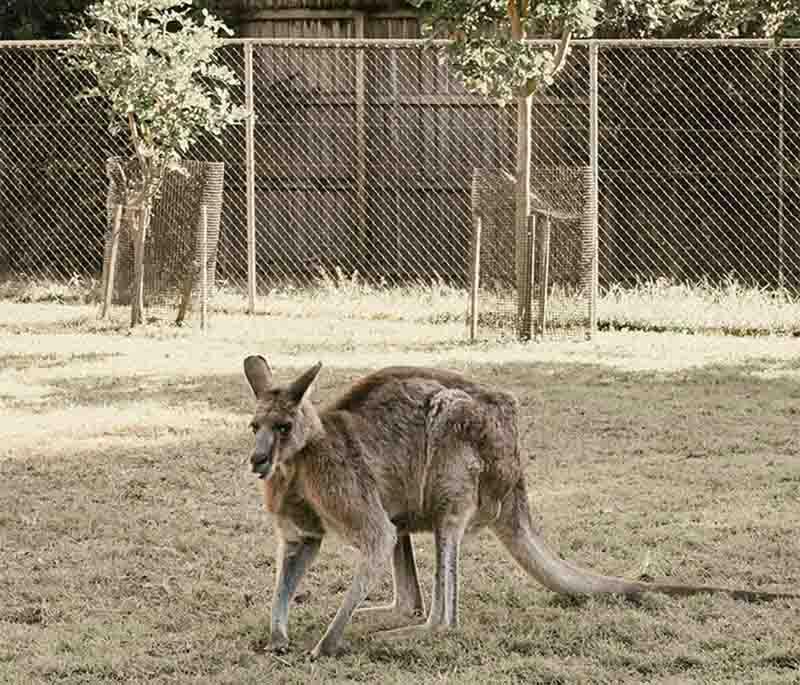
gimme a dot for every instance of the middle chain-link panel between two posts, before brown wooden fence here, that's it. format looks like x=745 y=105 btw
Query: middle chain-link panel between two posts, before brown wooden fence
x=365 y=158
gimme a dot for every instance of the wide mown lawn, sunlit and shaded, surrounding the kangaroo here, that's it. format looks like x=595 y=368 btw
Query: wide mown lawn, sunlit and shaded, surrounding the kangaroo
x=133 y=547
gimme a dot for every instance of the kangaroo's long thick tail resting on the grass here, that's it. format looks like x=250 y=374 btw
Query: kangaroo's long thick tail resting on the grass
x=515 y=530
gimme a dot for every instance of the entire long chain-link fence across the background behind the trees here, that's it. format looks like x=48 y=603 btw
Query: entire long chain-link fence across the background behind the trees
x=362 y=157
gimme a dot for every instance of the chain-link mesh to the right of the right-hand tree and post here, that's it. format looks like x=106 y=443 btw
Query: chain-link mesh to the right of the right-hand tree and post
x=699 y=158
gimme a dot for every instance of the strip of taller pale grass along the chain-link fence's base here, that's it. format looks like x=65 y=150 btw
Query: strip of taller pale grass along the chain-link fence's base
x=658 y=305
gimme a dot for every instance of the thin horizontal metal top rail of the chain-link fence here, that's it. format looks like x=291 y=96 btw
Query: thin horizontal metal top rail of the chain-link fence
x=416 y=43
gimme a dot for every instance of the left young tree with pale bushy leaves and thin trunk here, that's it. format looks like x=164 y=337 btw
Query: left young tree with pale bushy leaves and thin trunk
x=155 y=63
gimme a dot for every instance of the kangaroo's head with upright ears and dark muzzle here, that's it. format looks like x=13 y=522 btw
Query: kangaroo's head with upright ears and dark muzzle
x=284 y=420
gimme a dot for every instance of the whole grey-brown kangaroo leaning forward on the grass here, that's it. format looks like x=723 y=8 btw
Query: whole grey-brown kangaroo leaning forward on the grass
x=403 y=450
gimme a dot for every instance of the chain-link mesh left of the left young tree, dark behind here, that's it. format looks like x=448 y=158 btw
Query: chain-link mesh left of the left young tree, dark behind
x=52 y=179
